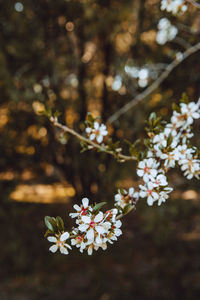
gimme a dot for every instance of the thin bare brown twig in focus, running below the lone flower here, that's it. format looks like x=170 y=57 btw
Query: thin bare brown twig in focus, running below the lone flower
x=101 y=148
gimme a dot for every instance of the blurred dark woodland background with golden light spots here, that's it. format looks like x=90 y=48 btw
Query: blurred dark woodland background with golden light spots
x=79 y=56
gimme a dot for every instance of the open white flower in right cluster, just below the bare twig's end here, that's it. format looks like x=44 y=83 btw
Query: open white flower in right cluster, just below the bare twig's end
x=147 y=167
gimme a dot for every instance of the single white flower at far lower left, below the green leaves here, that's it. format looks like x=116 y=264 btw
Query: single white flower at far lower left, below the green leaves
x=59 y=243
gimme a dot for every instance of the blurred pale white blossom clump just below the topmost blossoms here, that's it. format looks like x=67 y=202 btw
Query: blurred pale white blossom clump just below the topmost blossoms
x=166 y=31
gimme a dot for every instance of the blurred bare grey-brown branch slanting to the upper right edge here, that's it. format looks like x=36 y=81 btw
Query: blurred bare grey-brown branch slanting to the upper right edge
x=154 y=85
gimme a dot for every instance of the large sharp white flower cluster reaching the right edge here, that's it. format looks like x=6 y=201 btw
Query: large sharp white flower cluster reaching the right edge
x=167 y=149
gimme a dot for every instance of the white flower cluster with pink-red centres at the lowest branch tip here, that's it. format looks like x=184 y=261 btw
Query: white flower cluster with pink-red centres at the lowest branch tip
x=94 y=229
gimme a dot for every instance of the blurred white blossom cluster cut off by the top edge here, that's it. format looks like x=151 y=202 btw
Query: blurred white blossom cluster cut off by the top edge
x=173 y=6
